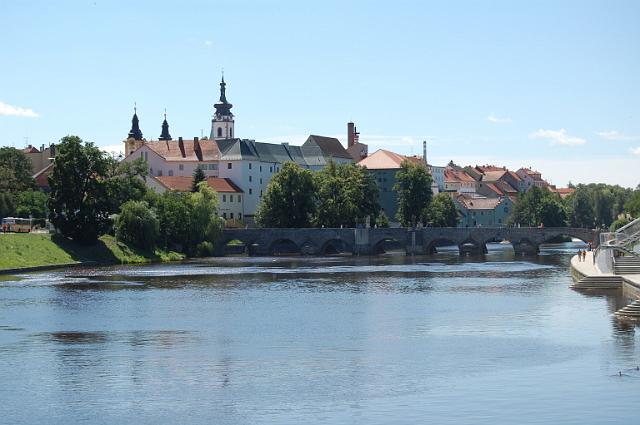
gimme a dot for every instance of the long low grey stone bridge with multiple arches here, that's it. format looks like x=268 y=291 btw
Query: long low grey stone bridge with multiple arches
x=318 y=241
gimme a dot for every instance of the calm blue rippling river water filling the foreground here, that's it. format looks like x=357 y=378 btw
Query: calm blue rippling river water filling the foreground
x=386 y=340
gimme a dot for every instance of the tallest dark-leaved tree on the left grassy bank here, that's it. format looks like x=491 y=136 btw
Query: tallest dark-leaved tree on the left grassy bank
x=78 y=204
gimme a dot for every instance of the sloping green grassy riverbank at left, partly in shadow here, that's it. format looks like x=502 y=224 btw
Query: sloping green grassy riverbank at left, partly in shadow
x=33 y=250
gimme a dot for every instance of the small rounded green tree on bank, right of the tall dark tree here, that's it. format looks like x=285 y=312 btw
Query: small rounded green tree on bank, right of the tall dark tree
x=137 y=225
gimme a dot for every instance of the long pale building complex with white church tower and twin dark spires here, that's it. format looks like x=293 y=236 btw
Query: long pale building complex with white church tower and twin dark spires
x=248 y=164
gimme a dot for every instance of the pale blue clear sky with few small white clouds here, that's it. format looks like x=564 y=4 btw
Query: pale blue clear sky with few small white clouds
x=554 y=85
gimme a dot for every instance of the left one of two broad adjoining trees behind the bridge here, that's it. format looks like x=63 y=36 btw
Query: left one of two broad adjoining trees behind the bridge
x=289 y=199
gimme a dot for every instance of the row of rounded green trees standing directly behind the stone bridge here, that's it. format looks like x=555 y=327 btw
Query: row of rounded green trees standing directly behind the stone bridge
x=344 y=195
